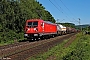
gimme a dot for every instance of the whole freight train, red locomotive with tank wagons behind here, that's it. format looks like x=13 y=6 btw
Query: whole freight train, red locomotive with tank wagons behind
x=38 y=28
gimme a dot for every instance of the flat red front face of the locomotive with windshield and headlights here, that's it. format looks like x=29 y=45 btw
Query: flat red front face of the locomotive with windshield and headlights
x=31 y=29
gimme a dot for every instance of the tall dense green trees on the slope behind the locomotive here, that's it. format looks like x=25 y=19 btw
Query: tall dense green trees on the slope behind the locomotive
x=14 y=13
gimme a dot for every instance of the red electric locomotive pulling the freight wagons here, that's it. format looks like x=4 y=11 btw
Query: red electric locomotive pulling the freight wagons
x=35 y=28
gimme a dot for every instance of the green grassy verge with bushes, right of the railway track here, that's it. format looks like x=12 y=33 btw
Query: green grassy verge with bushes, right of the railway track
x=78 y=50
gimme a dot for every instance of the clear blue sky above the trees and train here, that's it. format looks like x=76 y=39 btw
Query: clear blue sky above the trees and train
x=71 y=11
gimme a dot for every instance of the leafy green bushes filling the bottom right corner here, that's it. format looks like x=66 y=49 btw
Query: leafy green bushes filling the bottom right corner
x=81 y=51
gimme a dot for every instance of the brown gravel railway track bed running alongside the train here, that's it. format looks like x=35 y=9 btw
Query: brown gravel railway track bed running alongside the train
x=23 y=51
